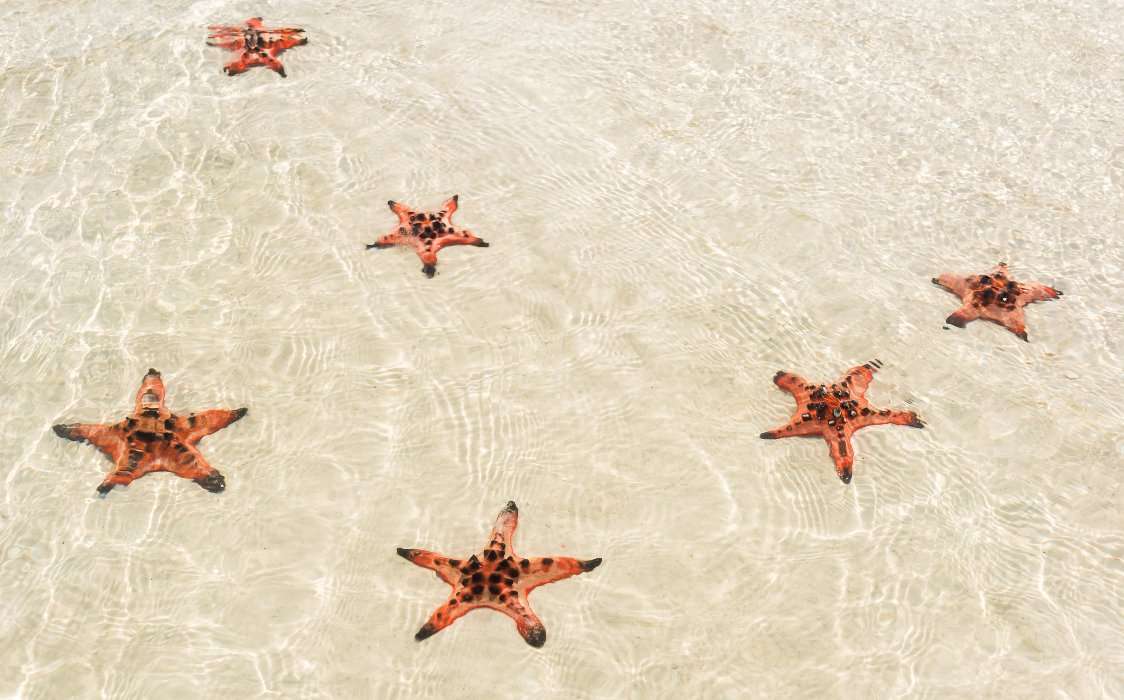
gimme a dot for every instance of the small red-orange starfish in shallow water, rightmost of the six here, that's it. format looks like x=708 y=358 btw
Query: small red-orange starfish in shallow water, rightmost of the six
x=994 y=297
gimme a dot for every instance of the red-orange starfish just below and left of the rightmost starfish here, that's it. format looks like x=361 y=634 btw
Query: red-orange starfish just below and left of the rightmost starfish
x=837 y=412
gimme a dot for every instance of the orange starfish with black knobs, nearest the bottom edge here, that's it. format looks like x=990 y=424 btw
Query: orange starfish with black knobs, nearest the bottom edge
x=497 y=579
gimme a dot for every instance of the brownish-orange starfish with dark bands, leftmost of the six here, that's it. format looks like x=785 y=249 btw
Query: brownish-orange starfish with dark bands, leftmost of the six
x=155 y=440
